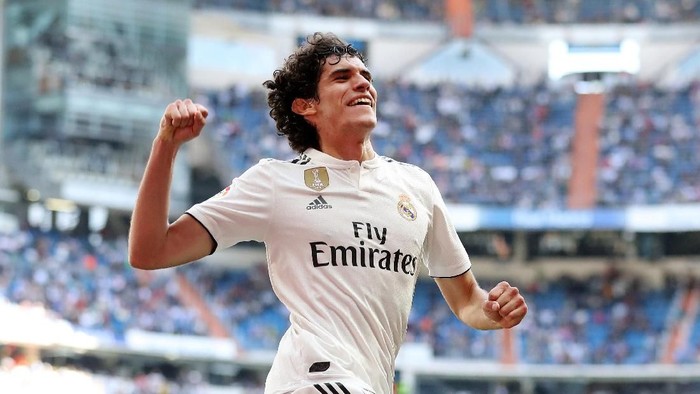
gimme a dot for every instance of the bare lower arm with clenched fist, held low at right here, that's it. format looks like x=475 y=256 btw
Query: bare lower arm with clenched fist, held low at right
x=501 y=307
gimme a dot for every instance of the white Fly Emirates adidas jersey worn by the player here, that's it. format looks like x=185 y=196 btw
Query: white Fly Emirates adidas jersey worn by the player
x=344 y=243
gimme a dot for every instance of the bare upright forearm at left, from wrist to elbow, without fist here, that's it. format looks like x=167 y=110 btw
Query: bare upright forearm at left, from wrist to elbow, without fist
x=149 y=222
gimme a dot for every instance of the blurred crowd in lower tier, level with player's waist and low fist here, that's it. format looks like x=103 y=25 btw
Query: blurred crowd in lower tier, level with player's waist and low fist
x=611 y=317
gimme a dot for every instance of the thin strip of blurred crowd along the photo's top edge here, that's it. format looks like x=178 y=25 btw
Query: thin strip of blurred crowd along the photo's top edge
x=485 y=11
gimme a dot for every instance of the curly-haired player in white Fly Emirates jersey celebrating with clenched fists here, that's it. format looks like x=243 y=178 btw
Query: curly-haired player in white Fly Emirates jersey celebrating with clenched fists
x=346 y=230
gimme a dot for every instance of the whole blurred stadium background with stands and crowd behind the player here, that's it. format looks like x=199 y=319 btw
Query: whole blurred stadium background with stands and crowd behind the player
x=565 y=136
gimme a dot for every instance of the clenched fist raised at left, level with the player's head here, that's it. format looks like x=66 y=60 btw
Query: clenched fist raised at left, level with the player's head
x=182 y=121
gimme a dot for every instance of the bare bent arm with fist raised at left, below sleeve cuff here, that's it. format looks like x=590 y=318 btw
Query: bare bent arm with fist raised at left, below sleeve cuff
x=153 y=242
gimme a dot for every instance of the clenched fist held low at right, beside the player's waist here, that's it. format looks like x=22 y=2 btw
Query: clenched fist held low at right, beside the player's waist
x=505 y=305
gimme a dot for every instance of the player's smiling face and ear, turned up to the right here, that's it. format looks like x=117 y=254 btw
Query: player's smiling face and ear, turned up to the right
x=347 y=101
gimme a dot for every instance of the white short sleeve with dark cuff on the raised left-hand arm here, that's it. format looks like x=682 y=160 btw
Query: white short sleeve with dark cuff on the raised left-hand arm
x=240 y=212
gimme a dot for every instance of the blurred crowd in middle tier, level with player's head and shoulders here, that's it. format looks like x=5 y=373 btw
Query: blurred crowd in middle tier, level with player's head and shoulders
x=488 y=146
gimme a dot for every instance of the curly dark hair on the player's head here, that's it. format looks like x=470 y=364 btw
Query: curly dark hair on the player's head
x=298 y=78
